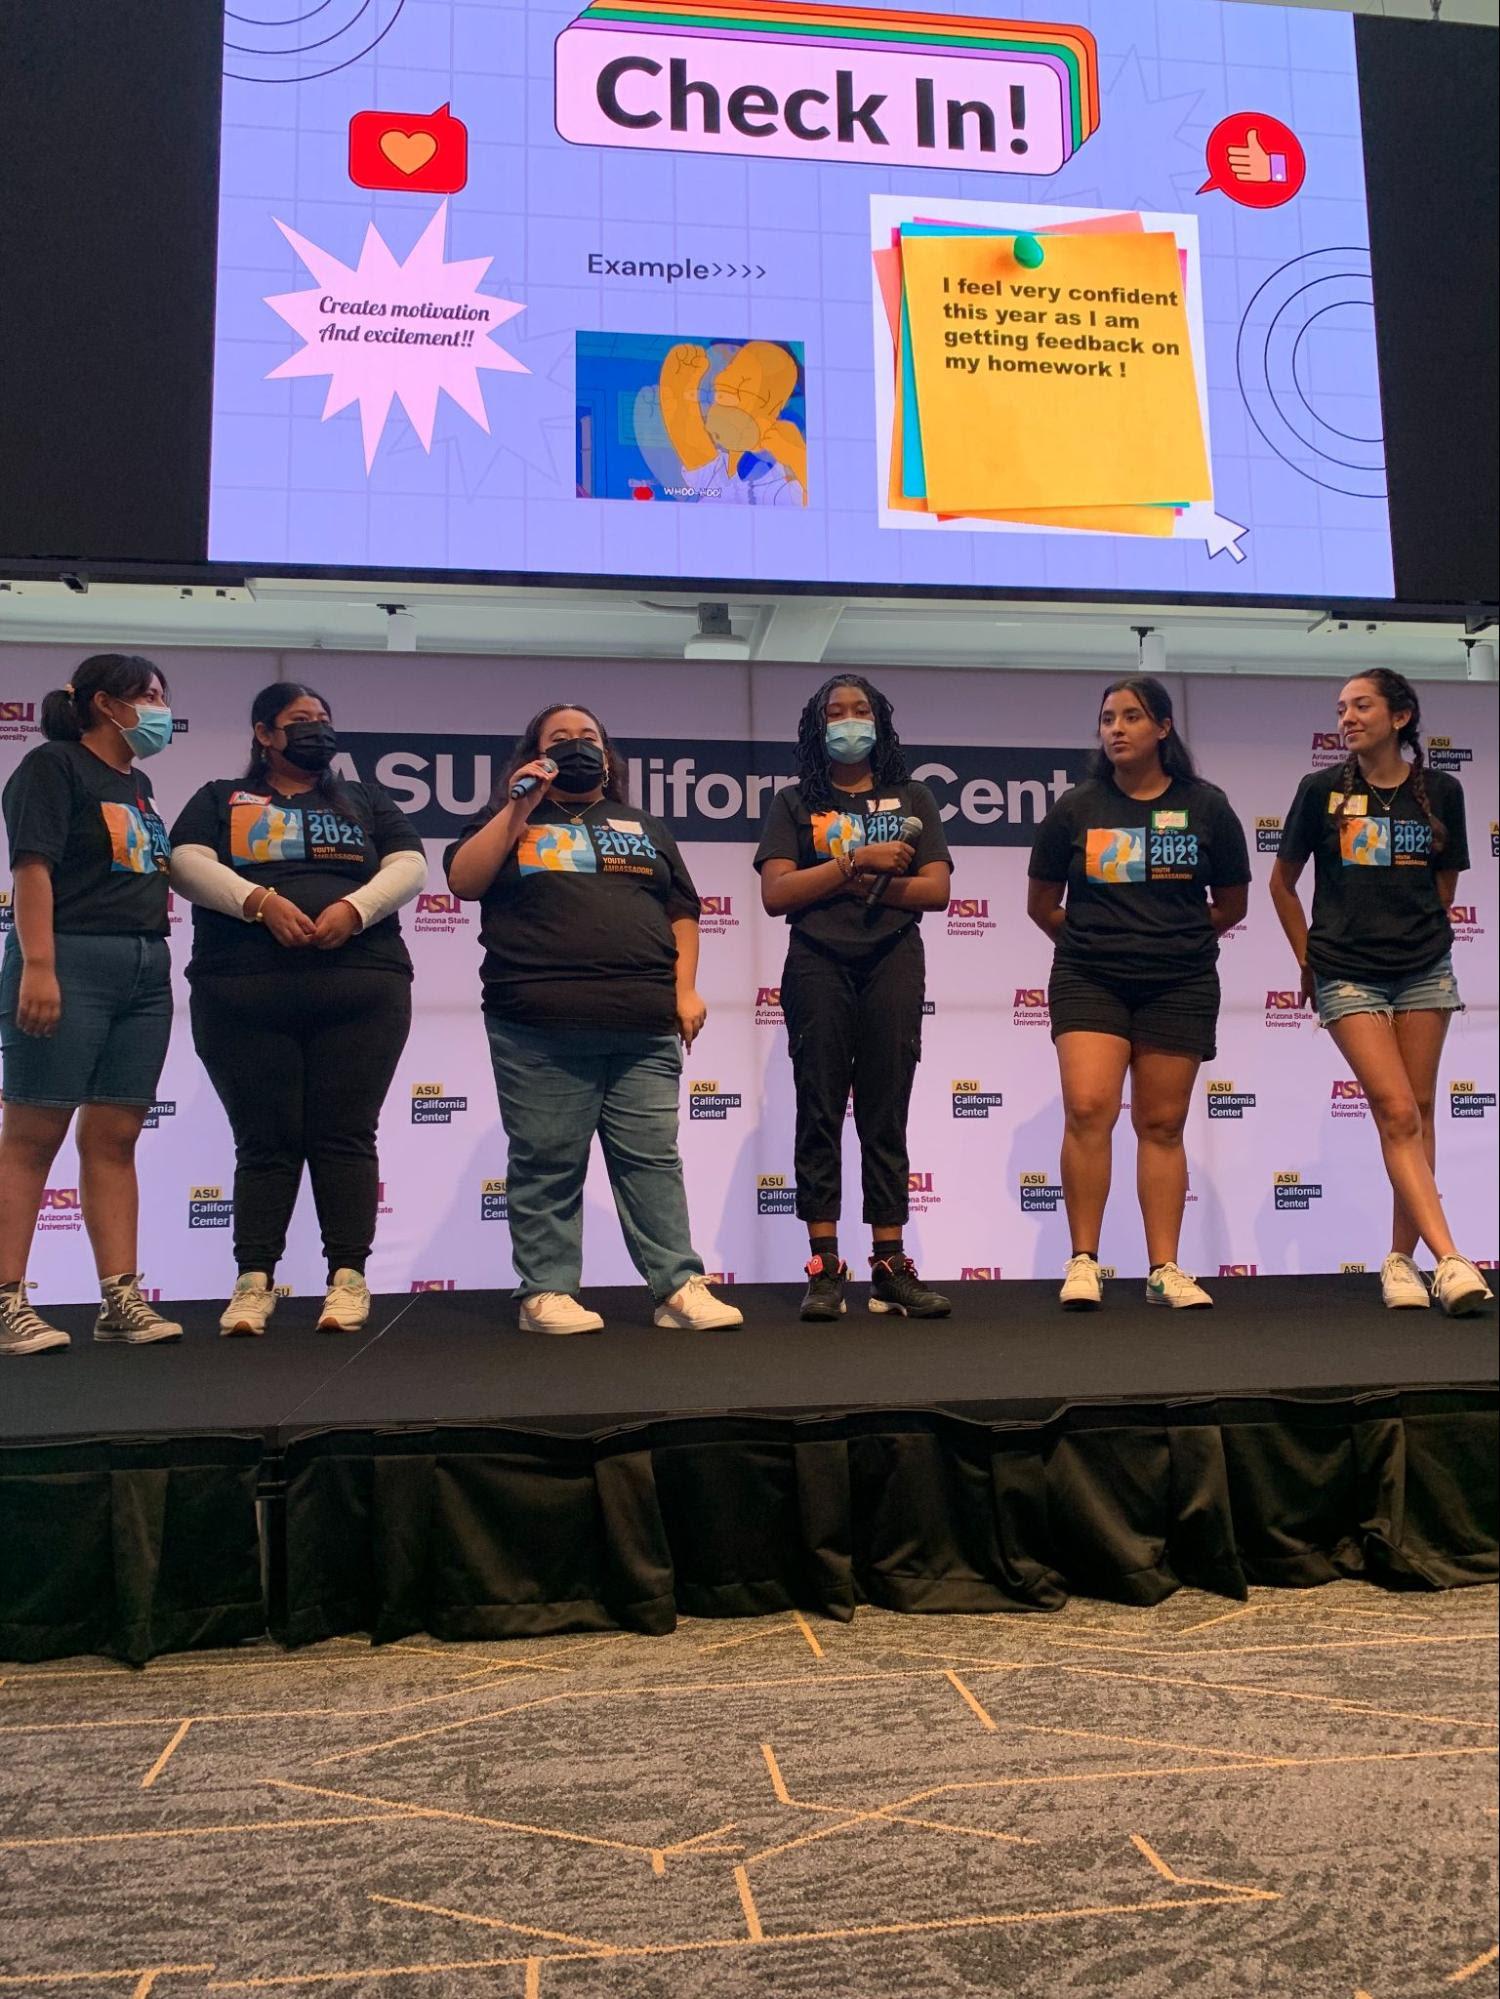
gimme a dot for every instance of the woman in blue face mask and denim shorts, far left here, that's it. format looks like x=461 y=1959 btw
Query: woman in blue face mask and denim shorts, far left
x=85 y=985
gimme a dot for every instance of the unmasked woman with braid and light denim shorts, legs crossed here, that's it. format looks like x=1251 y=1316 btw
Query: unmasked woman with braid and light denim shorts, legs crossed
x=1387 y=843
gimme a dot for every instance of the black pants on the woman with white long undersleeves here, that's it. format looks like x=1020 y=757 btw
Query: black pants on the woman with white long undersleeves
x=303 y=1062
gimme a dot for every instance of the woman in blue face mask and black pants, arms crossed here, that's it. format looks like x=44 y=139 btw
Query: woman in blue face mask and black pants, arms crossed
x=851 y=857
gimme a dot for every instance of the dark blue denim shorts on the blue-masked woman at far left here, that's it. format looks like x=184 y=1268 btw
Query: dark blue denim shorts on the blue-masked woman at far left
x=117 y=1020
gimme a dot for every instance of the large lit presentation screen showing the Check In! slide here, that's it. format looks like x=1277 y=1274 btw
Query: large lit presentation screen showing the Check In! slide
x=775 y=293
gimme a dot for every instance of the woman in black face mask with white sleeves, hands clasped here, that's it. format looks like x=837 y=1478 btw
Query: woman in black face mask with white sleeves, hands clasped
x=301 y=991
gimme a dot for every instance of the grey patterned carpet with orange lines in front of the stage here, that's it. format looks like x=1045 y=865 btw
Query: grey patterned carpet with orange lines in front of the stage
x=1289 y=1798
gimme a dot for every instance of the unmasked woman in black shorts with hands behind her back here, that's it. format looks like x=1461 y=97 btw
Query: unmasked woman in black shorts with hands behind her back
x=1135 y=875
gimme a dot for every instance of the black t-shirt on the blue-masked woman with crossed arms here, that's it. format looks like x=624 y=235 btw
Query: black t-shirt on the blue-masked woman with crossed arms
x=793 y=833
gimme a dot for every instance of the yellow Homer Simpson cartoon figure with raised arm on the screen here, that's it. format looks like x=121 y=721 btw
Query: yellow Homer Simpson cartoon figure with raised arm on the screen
x=737 y=449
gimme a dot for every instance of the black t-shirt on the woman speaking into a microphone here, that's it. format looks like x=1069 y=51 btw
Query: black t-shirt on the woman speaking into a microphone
x=577 y=927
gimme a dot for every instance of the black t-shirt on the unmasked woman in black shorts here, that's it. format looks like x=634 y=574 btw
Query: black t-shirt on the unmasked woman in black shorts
x=1139 y=875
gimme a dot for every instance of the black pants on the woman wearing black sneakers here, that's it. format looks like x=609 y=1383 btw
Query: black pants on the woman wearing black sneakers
x=855 y=1022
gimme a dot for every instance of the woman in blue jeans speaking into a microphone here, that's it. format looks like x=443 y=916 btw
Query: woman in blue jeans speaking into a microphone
x=591 y=955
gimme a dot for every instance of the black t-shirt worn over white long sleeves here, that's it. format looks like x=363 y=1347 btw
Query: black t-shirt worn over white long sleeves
x=309 y=849
